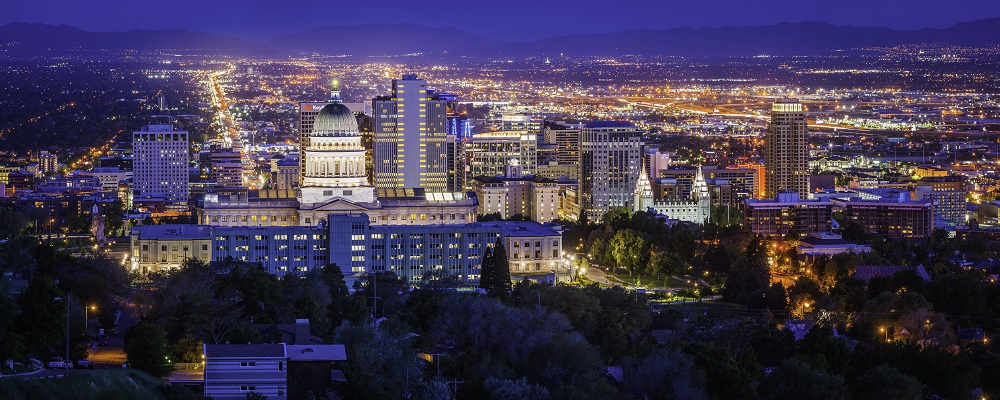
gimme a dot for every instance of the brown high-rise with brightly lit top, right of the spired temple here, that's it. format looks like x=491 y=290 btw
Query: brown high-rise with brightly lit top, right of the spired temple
x=786 y=149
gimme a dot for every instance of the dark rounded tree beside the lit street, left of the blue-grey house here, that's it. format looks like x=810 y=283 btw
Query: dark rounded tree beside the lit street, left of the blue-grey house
x=147 y=350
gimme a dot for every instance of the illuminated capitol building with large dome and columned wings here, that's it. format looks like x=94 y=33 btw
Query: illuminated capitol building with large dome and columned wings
x=333 y=181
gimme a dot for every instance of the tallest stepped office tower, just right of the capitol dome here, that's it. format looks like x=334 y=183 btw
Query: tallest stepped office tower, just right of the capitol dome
x=410 y=129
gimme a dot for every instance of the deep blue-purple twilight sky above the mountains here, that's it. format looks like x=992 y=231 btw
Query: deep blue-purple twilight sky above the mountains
x=497 y=19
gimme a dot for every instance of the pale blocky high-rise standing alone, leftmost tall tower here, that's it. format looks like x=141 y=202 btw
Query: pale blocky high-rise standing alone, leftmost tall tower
x=160 y=164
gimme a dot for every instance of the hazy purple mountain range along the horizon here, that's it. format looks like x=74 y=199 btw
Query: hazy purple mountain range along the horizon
x=804 y=38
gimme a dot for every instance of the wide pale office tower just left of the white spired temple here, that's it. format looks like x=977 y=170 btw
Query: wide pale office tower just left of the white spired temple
x=610 y=159
